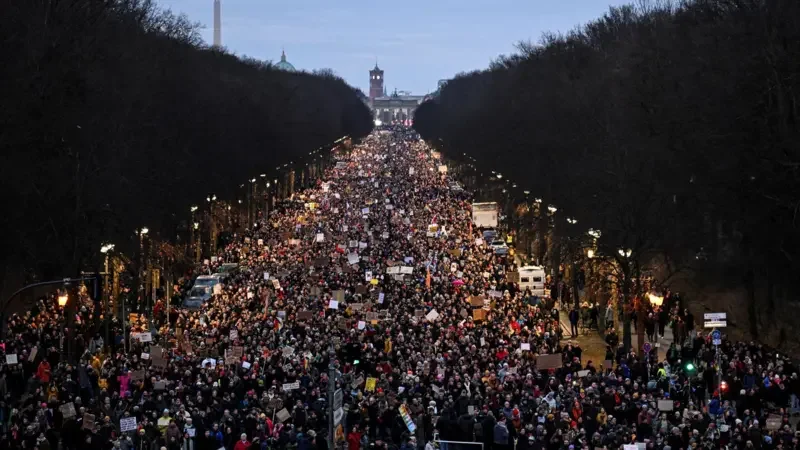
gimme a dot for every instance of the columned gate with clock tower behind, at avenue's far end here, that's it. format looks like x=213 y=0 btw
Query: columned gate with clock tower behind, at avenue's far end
x=396 y=108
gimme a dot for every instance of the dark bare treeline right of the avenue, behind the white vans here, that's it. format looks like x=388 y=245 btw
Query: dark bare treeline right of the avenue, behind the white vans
x=671 y=128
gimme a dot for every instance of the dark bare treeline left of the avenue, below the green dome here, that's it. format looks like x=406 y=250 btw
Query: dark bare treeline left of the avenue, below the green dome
x=114 y=116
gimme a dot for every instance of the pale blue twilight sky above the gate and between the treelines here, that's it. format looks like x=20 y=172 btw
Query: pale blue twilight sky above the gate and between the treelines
x=416 y=42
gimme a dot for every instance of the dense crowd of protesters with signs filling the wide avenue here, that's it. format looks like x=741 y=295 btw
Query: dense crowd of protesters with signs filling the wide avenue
x=378 y=270
